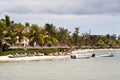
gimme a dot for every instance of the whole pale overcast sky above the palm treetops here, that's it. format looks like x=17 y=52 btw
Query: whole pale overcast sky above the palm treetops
x=100 y=17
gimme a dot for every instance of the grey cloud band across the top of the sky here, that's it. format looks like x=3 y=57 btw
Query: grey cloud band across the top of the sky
x=61 y=6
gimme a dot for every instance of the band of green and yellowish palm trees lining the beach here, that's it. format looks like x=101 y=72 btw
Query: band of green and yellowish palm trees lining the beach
x=12 y=33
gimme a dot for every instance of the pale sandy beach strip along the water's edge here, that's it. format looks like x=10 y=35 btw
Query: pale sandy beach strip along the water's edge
x=33 y=58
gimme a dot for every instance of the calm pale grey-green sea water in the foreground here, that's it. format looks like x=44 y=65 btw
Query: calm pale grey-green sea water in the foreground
x=68 y=69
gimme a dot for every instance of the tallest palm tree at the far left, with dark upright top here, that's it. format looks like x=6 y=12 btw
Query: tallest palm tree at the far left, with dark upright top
x=7 y=34
